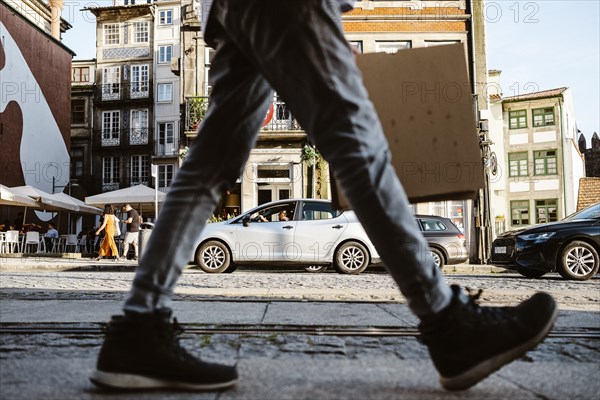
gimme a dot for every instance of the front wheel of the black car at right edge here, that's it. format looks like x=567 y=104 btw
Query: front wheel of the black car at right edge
x=578 y=261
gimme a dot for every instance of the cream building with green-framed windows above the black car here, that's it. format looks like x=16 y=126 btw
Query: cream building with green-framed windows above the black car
x=538 y=158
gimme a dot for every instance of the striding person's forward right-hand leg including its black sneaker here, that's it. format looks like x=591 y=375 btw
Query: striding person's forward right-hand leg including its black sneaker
x=301 y=50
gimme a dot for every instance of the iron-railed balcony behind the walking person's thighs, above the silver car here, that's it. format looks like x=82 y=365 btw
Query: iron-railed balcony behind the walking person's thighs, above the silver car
x=278 y=119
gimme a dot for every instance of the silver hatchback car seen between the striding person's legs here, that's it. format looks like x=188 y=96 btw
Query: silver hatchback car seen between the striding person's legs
x=296 y=231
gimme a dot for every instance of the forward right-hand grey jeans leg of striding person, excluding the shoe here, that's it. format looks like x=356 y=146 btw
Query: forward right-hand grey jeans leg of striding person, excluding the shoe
x=311 y=65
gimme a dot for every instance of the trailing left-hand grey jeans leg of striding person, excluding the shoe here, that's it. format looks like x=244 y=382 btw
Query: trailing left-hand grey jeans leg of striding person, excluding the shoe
x=238 y=103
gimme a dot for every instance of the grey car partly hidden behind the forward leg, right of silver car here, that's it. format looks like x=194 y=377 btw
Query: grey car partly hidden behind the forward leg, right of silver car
x=446 y=242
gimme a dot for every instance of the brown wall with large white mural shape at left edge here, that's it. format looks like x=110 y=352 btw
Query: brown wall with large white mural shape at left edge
x=34 y=107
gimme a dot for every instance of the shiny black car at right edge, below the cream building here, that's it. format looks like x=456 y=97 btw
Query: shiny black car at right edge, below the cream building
x=570 y=247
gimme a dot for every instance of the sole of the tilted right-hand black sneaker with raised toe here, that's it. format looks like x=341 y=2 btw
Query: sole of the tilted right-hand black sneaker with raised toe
x=487 y=367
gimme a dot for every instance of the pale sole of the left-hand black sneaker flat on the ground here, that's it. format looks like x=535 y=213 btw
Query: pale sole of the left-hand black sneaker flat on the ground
x=129 y=381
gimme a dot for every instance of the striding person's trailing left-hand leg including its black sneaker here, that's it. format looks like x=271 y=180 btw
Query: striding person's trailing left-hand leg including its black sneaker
x=141 y=349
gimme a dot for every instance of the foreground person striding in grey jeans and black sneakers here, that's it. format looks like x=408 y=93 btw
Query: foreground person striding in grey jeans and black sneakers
x=298 y=48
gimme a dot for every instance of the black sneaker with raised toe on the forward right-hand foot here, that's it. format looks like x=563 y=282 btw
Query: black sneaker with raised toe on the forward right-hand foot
x=468 y=342
